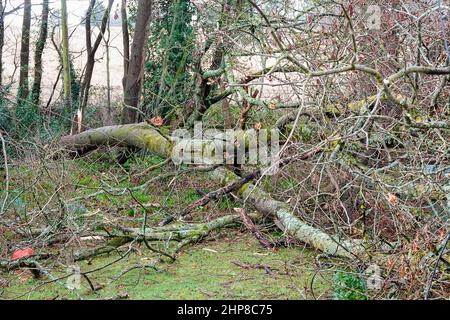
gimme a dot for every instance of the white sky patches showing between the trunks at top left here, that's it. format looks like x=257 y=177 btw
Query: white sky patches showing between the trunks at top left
x=75 y=9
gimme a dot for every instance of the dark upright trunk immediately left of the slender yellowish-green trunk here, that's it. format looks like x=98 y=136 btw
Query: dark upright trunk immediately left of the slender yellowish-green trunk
x=36 y=90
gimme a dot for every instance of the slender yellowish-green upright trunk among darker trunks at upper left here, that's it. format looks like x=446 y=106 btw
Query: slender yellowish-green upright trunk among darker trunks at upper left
x=65 y=56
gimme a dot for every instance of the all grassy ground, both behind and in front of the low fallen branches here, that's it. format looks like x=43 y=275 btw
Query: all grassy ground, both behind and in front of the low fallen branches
x=229 y=264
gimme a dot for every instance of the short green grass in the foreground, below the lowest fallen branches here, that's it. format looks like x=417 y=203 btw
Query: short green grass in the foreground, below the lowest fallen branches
x=203 y=271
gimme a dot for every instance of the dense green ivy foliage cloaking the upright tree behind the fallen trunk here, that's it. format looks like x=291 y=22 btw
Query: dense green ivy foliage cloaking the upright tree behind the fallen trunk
x=167 y=77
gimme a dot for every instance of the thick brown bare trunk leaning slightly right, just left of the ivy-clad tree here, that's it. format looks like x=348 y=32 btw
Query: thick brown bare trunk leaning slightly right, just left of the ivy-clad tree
x=136 y=65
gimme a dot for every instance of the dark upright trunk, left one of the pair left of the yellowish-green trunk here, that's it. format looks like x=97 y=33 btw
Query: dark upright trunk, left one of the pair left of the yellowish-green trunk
x=25 y=52
